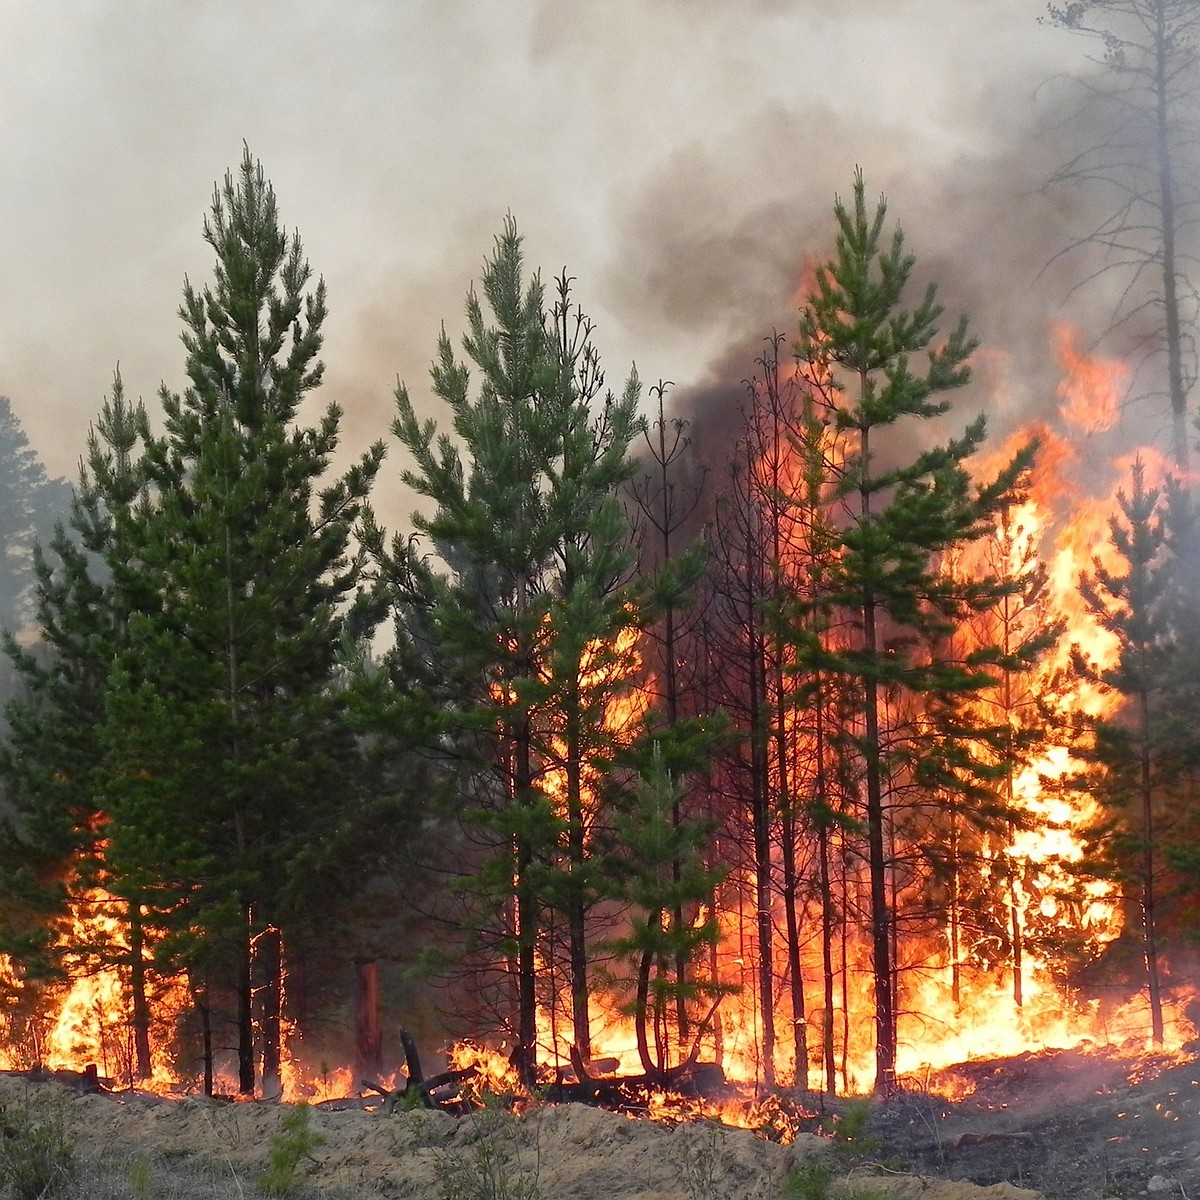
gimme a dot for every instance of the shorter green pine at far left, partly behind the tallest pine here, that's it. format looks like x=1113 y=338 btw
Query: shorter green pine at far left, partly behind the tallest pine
x=56 y=764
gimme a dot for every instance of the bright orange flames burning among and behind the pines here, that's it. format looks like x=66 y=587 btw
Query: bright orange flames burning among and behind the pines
x=957 y=997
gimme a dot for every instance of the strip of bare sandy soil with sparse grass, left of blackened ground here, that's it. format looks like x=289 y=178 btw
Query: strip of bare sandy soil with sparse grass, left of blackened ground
x=145 y=1147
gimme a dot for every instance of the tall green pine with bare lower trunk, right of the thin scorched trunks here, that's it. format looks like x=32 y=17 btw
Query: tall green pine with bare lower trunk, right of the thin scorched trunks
x=859 y=334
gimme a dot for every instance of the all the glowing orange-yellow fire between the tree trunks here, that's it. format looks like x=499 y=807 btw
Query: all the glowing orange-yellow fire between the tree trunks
x=983 y=985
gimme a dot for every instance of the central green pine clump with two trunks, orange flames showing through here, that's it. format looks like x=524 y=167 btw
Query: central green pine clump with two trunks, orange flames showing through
x=532 y=621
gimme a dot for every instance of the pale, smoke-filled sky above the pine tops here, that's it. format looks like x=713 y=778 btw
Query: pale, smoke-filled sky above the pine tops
x=679 y=158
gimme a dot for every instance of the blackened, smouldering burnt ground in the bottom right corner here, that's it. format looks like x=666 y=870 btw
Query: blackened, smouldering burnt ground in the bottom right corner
x=1070 y=1124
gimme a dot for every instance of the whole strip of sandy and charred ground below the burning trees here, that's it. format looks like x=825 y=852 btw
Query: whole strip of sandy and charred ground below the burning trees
x=1065 y=1125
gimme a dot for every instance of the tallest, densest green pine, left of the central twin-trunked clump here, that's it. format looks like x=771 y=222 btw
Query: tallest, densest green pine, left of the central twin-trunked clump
x=230 y=730
